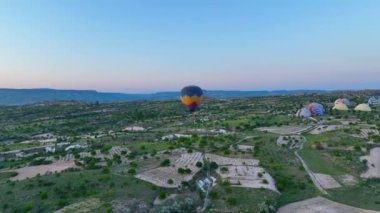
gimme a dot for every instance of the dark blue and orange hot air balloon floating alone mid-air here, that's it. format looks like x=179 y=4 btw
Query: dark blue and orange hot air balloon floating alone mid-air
x=191 y=97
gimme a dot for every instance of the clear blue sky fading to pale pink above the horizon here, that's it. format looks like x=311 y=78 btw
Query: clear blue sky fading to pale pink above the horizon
x=157 y=45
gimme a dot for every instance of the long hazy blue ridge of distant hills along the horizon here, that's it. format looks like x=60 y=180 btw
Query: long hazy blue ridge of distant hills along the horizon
x=28 y=96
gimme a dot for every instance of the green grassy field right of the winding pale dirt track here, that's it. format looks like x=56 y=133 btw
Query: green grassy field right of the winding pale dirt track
x=365 y=194
